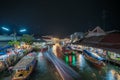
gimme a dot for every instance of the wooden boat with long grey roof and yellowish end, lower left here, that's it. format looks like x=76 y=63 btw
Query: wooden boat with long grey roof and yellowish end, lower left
x=24 y=67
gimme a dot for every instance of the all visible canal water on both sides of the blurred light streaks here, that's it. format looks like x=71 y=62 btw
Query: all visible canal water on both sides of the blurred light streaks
x=86 y=70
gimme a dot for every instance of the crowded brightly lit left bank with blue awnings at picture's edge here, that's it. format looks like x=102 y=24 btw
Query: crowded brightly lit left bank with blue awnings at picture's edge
x=9 y=55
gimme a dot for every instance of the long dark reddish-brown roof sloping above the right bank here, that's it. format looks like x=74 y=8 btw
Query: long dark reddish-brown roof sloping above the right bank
x=110 y=41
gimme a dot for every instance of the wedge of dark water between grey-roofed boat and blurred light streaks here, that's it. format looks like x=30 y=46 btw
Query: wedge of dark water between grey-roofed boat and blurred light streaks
x=41 y=71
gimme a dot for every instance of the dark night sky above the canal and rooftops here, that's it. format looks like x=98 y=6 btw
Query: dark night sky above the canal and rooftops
x=59 y=17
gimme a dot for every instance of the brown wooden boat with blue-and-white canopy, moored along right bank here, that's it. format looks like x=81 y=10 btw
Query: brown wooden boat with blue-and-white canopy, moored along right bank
x=94 y=58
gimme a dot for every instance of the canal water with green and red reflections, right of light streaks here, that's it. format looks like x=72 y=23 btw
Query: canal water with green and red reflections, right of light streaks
x=87 y=71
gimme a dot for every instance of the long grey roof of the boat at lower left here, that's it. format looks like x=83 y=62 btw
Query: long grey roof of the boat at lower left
x=24 y=62
